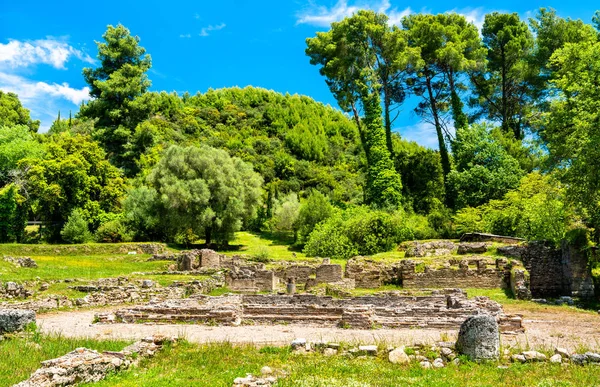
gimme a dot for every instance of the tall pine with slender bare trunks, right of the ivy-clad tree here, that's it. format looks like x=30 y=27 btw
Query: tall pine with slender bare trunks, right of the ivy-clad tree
x=449 y=46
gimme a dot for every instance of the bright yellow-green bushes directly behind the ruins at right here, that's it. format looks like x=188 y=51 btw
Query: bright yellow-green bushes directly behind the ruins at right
x=536 y=210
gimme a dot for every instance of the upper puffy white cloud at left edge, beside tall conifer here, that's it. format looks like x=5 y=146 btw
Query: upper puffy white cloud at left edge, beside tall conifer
x=53 y=52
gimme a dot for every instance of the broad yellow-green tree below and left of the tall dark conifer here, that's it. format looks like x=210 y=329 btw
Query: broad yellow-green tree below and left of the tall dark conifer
x=73 y=173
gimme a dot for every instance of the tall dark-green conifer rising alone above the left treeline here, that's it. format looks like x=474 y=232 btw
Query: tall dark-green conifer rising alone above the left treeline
x=114 y=85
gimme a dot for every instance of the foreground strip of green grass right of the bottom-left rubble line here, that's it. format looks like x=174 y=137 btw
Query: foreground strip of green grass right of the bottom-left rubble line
x=217 y=365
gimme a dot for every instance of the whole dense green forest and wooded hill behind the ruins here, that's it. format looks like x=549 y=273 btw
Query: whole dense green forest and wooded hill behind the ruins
x=516 y=109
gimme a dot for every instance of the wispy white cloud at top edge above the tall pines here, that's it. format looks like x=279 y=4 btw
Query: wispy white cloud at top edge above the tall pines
x=322 y=16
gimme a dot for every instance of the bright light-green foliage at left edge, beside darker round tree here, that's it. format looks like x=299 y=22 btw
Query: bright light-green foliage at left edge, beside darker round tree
x=16 y=143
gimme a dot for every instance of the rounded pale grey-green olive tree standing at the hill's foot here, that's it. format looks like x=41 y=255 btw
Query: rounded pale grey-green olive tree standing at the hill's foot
x=204 y=191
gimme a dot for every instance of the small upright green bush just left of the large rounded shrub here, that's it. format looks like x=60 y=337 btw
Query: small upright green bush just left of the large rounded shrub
x=314 y=210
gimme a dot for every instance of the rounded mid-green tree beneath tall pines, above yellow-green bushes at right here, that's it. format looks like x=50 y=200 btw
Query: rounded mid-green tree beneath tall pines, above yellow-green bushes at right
x=484 y=170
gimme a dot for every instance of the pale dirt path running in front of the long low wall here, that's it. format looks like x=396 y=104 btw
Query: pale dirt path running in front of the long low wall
x=544 y=329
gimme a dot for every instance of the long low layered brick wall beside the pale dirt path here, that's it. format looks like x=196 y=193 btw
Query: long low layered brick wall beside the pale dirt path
x=439 y=309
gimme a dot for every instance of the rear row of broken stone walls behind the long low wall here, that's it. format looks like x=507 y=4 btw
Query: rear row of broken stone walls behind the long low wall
x=361 y=272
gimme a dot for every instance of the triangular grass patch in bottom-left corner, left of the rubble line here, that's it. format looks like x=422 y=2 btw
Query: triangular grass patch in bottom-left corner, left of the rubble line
x=20 y=356
